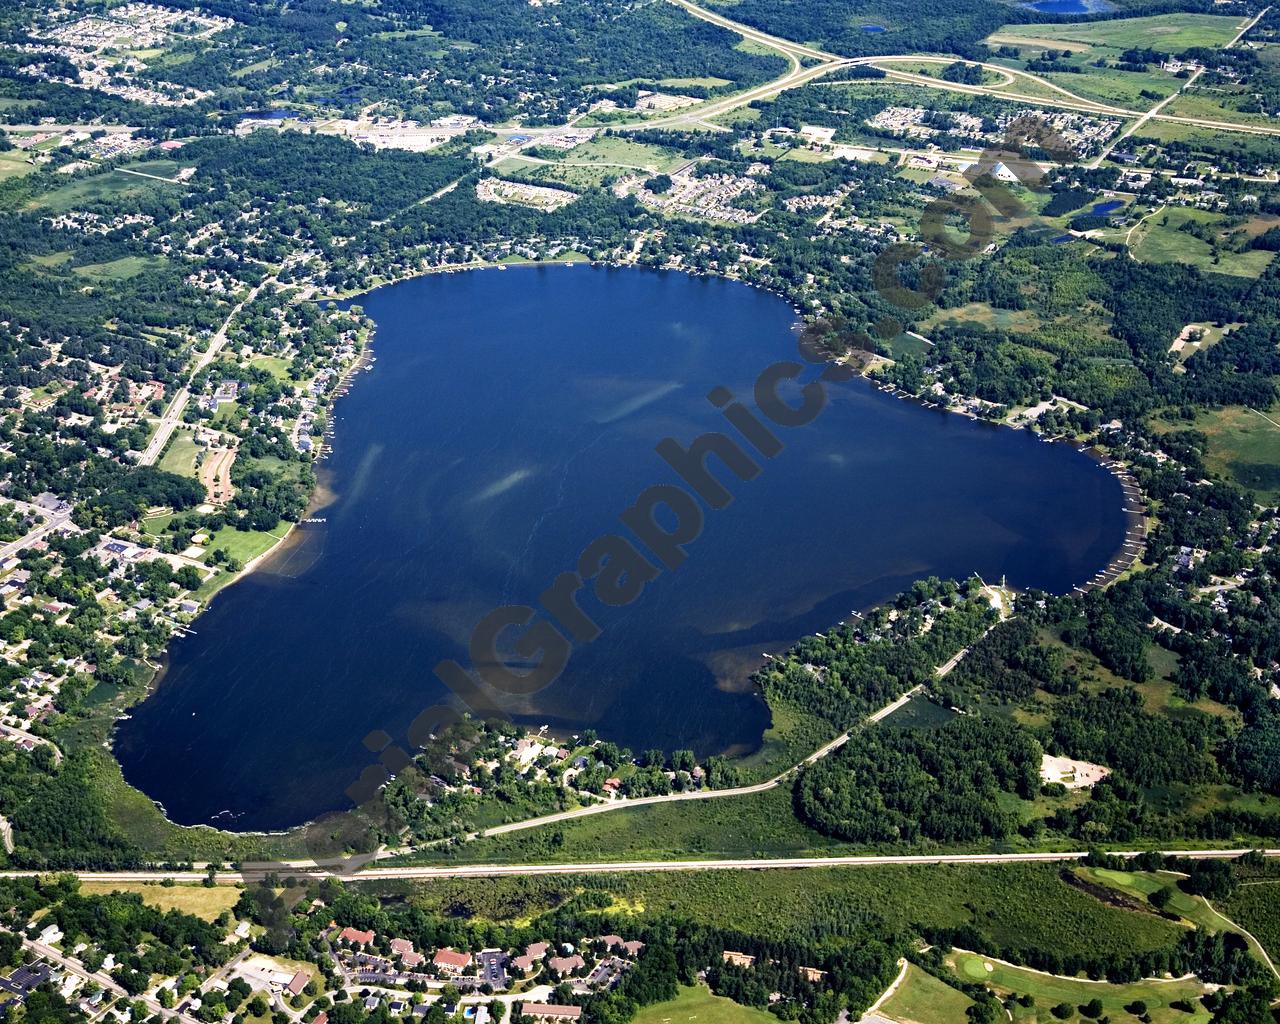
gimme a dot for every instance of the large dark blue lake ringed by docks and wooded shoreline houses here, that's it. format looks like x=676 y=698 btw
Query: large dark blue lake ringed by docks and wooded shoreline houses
x=509 y=420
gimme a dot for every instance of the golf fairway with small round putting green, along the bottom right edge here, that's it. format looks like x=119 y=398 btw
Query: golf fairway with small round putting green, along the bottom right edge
x=1050 y=991
